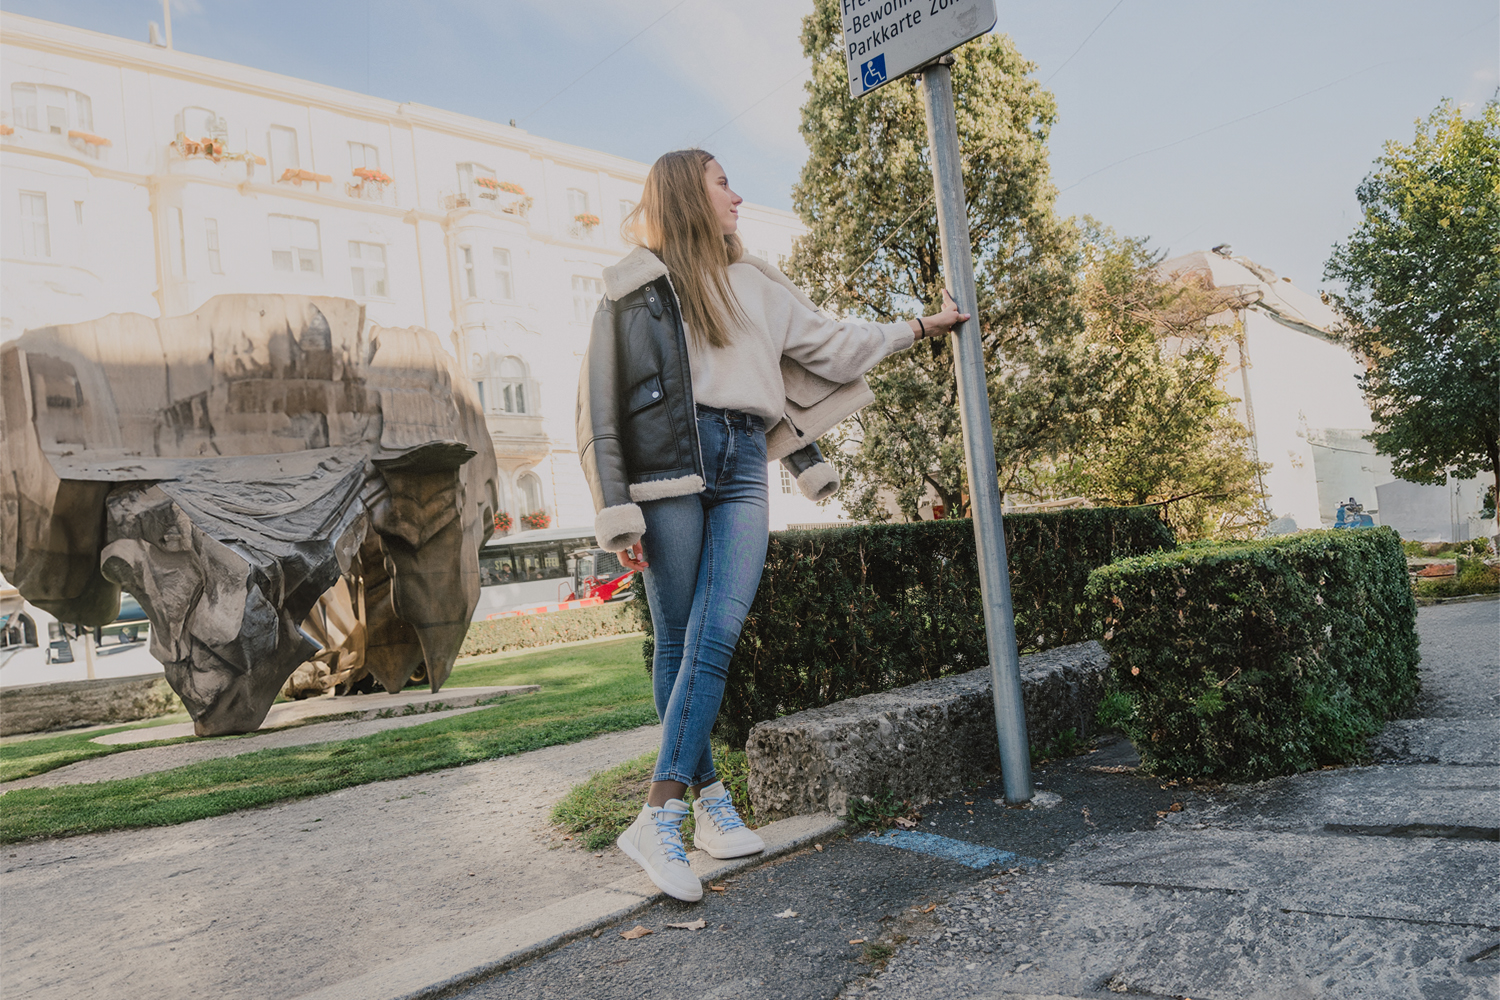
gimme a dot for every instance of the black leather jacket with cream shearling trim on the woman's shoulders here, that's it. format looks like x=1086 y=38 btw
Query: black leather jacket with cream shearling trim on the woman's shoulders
x=637 y=418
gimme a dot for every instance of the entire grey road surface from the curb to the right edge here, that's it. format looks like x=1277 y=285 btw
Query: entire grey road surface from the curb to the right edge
x=1363 y=882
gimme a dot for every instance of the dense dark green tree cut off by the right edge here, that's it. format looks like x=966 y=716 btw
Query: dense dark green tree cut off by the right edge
x=1423 y=298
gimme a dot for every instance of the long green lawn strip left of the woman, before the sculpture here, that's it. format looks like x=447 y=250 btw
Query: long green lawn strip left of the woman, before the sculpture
x=586 y=692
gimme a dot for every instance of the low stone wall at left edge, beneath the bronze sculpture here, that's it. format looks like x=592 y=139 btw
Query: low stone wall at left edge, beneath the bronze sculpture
x=32 y=708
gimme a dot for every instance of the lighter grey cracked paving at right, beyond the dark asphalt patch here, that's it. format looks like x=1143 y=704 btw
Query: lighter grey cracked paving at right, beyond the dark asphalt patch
x=1361 y=882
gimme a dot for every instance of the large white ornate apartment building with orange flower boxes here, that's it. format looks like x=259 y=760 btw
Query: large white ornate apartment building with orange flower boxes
x=142 y=179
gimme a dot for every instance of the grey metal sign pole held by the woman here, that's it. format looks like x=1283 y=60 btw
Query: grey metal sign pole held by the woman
x=979 y=437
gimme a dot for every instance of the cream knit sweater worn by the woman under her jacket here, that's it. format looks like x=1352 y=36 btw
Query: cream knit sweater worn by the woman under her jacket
x=748 y=374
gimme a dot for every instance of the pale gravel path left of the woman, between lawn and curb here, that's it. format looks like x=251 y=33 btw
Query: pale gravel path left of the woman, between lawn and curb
x=371 y=893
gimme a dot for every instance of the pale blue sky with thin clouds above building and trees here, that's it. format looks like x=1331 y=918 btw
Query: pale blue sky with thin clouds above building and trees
x=1190 y=124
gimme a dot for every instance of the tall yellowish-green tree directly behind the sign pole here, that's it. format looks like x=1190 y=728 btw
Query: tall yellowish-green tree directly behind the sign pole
x=866 y=197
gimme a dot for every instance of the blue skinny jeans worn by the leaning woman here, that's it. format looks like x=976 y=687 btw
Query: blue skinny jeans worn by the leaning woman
x=704 y=555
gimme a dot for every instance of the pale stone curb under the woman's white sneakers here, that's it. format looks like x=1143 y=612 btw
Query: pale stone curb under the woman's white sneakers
x=482 y=954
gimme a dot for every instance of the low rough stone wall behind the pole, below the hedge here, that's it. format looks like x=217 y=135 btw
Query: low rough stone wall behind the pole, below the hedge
x=920 y=743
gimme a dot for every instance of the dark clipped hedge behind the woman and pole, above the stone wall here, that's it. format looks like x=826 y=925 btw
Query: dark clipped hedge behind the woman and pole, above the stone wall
x=851 y=611
